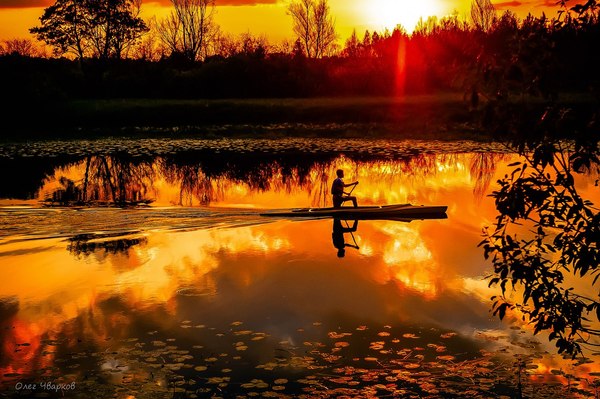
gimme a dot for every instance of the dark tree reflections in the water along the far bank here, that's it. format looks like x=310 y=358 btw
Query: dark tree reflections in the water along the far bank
x=203 y=177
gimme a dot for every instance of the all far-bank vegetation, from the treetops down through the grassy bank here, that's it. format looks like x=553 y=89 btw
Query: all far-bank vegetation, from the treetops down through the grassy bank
x=496 y=66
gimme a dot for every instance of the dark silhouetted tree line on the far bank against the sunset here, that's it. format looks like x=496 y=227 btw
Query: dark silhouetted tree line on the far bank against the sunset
x=114 y=53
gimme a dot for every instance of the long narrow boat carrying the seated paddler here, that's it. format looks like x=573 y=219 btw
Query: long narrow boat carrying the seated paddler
x=398 y=211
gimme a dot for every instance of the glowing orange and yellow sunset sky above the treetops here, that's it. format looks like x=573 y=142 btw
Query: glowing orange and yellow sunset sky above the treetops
x=269 y=17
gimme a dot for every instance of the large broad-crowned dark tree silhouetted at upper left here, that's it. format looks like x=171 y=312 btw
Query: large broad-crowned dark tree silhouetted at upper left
x=98 y=28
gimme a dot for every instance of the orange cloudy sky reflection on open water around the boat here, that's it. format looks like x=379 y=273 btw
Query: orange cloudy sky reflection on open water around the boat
x=276 y=277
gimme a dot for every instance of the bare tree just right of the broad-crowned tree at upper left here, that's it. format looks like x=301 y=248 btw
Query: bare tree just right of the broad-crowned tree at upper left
x=189 y=28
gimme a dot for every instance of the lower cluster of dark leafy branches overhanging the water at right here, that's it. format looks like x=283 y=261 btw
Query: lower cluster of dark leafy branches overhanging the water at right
x=564 y=239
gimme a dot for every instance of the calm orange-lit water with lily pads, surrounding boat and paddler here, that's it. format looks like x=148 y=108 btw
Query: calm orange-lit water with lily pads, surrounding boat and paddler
x=196 y=295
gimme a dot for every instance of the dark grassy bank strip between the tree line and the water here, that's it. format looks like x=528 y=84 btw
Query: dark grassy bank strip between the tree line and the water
x=441 y=116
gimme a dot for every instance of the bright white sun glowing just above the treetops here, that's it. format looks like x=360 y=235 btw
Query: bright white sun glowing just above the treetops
x=389 y=13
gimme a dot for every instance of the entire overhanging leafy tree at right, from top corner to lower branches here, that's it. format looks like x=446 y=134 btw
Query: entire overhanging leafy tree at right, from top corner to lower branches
x=542 y=193
